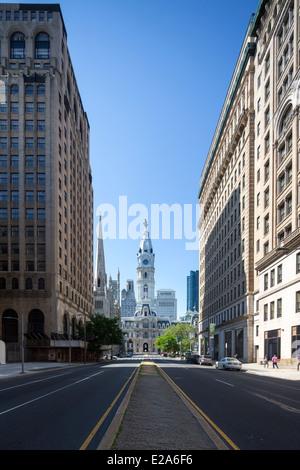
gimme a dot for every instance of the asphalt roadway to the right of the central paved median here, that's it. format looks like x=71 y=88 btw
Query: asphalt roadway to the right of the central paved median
x=254 y=412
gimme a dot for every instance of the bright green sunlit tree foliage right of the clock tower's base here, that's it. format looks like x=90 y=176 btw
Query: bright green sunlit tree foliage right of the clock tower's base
x=168 y=341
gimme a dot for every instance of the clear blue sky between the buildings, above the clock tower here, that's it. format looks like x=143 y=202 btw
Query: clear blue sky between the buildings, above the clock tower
x=153 y=76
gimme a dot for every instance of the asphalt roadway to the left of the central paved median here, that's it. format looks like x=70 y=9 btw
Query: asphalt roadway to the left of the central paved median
x=62 y=409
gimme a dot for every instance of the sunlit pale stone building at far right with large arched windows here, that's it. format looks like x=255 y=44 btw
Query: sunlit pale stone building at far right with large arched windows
x=277 y=177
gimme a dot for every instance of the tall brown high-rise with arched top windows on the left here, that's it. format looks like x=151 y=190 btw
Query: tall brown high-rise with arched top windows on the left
x=46 y=194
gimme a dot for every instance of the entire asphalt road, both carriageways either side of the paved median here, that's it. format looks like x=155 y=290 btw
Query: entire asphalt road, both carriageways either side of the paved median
x=71 y=409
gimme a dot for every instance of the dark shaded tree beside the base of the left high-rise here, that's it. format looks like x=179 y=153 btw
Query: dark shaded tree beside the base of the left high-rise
x=102 y=331
